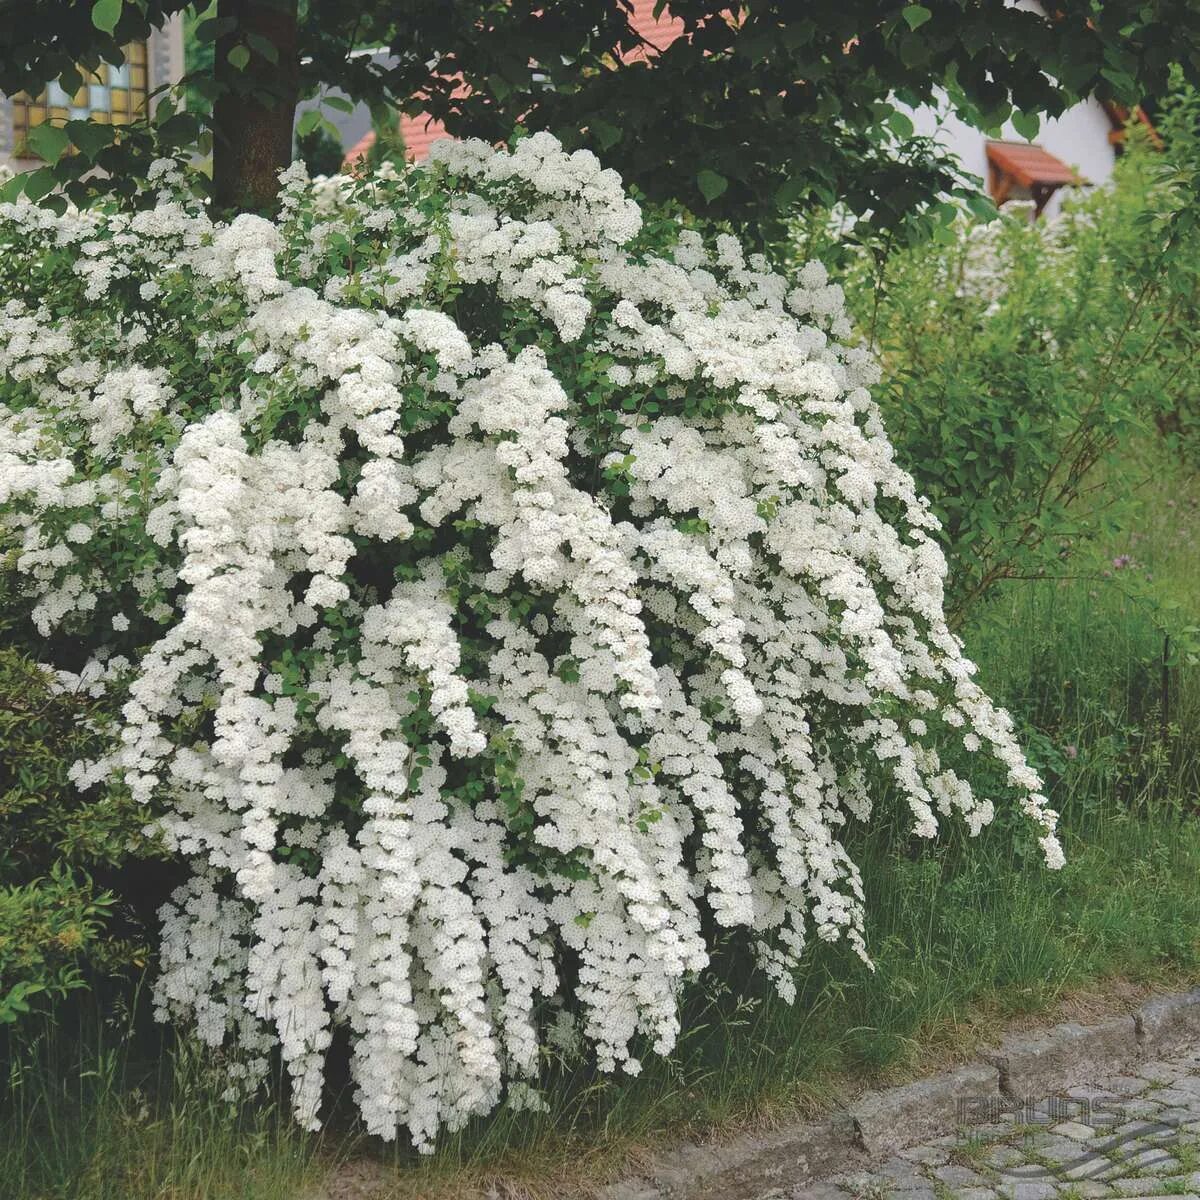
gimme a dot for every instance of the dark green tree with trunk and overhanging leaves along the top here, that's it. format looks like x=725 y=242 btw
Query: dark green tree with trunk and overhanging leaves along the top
x=755 y=111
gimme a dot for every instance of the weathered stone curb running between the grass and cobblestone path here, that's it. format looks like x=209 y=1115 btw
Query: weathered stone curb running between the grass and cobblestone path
x=880 y=1123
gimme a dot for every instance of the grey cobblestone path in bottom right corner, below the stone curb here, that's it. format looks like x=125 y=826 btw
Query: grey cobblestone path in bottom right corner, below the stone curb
x=1127 y=1137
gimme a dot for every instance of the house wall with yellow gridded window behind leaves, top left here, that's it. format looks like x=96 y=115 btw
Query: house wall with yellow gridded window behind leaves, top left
x=115 y=94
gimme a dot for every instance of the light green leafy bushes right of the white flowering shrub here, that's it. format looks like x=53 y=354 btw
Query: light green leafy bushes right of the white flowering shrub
x=1023 y=361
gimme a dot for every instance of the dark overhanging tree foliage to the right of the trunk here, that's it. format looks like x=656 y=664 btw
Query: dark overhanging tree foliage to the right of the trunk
x=787 y=106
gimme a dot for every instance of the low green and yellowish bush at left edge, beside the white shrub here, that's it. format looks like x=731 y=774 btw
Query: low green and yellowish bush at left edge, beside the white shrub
x=56 y=919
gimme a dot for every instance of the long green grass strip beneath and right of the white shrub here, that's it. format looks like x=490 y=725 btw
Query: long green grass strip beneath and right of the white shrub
x=965 y=935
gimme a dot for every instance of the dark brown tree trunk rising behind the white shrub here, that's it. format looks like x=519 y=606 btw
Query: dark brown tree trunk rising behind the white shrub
x=254 y=115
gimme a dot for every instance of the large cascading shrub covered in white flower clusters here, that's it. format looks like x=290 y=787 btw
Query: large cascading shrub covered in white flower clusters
x=506 y=596
